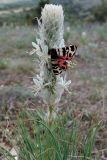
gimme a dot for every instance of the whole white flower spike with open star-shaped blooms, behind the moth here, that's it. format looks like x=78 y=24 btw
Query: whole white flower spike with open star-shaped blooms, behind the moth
x=50 y=35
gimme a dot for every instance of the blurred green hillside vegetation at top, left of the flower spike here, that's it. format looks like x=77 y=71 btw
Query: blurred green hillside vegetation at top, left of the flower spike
x=23 y=17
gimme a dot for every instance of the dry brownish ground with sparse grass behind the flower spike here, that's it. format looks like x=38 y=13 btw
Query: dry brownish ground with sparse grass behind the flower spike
x=89 y=78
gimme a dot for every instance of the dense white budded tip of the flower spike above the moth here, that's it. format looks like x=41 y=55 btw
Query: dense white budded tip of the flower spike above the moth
x=52 y=28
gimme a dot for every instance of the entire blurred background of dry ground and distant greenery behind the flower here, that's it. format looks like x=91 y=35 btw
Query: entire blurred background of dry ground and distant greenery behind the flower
x=85 y=25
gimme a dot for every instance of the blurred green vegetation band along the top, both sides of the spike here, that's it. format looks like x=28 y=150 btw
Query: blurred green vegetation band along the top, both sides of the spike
x=74 y=12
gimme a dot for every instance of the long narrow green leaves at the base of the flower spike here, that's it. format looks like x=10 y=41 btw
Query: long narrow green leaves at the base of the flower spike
x=53 y=140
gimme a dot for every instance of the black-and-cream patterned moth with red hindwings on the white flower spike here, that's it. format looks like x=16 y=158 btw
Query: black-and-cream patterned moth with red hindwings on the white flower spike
x=60 y=56
